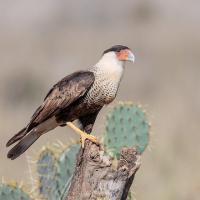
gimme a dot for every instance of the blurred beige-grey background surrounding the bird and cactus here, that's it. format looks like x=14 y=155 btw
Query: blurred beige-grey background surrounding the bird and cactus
x=42 y=41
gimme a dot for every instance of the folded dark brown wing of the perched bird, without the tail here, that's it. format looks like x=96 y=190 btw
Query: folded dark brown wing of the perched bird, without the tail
x=62 y=94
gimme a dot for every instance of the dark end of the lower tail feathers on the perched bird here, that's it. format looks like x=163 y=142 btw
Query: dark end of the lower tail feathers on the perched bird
x=23 y=145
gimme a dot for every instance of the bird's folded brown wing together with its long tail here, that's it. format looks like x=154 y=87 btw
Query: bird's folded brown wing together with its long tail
x=62 y=94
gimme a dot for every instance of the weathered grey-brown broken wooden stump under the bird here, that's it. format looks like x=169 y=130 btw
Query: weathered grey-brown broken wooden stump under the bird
x=98 y=177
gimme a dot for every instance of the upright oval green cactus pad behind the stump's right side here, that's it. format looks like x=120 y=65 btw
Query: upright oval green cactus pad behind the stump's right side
x=126 y=126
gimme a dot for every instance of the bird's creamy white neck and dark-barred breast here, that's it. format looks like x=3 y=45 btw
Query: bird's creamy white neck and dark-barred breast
x=108 y=73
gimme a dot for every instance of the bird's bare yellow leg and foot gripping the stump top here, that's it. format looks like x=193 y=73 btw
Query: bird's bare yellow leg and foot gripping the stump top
x=83 y=134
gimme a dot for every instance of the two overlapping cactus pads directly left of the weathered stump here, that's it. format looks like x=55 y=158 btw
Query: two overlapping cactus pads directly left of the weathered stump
x=55 y=171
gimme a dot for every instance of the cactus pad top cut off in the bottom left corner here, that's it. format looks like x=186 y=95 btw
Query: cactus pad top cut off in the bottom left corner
x=10 y=192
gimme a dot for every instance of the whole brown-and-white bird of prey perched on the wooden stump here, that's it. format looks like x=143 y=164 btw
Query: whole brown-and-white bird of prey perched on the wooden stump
x=78 y=96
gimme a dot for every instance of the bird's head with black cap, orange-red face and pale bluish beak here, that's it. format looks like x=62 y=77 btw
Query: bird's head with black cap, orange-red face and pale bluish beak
x=119 y=52
